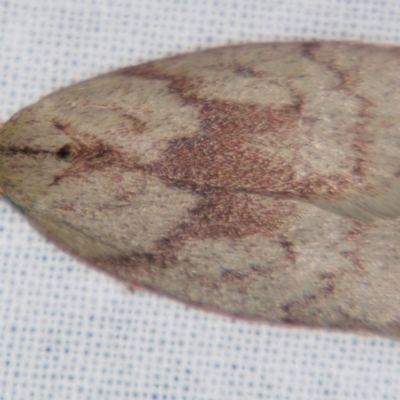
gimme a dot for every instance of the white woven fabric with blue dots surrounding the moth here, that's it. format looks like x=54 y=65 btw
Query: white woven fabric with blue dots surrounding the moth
x=69 y=332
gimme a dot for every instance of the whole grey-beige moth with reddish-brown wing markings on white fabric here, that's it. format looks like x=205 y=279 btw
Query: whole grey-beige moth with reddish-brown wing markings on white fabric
x=259 y=180
